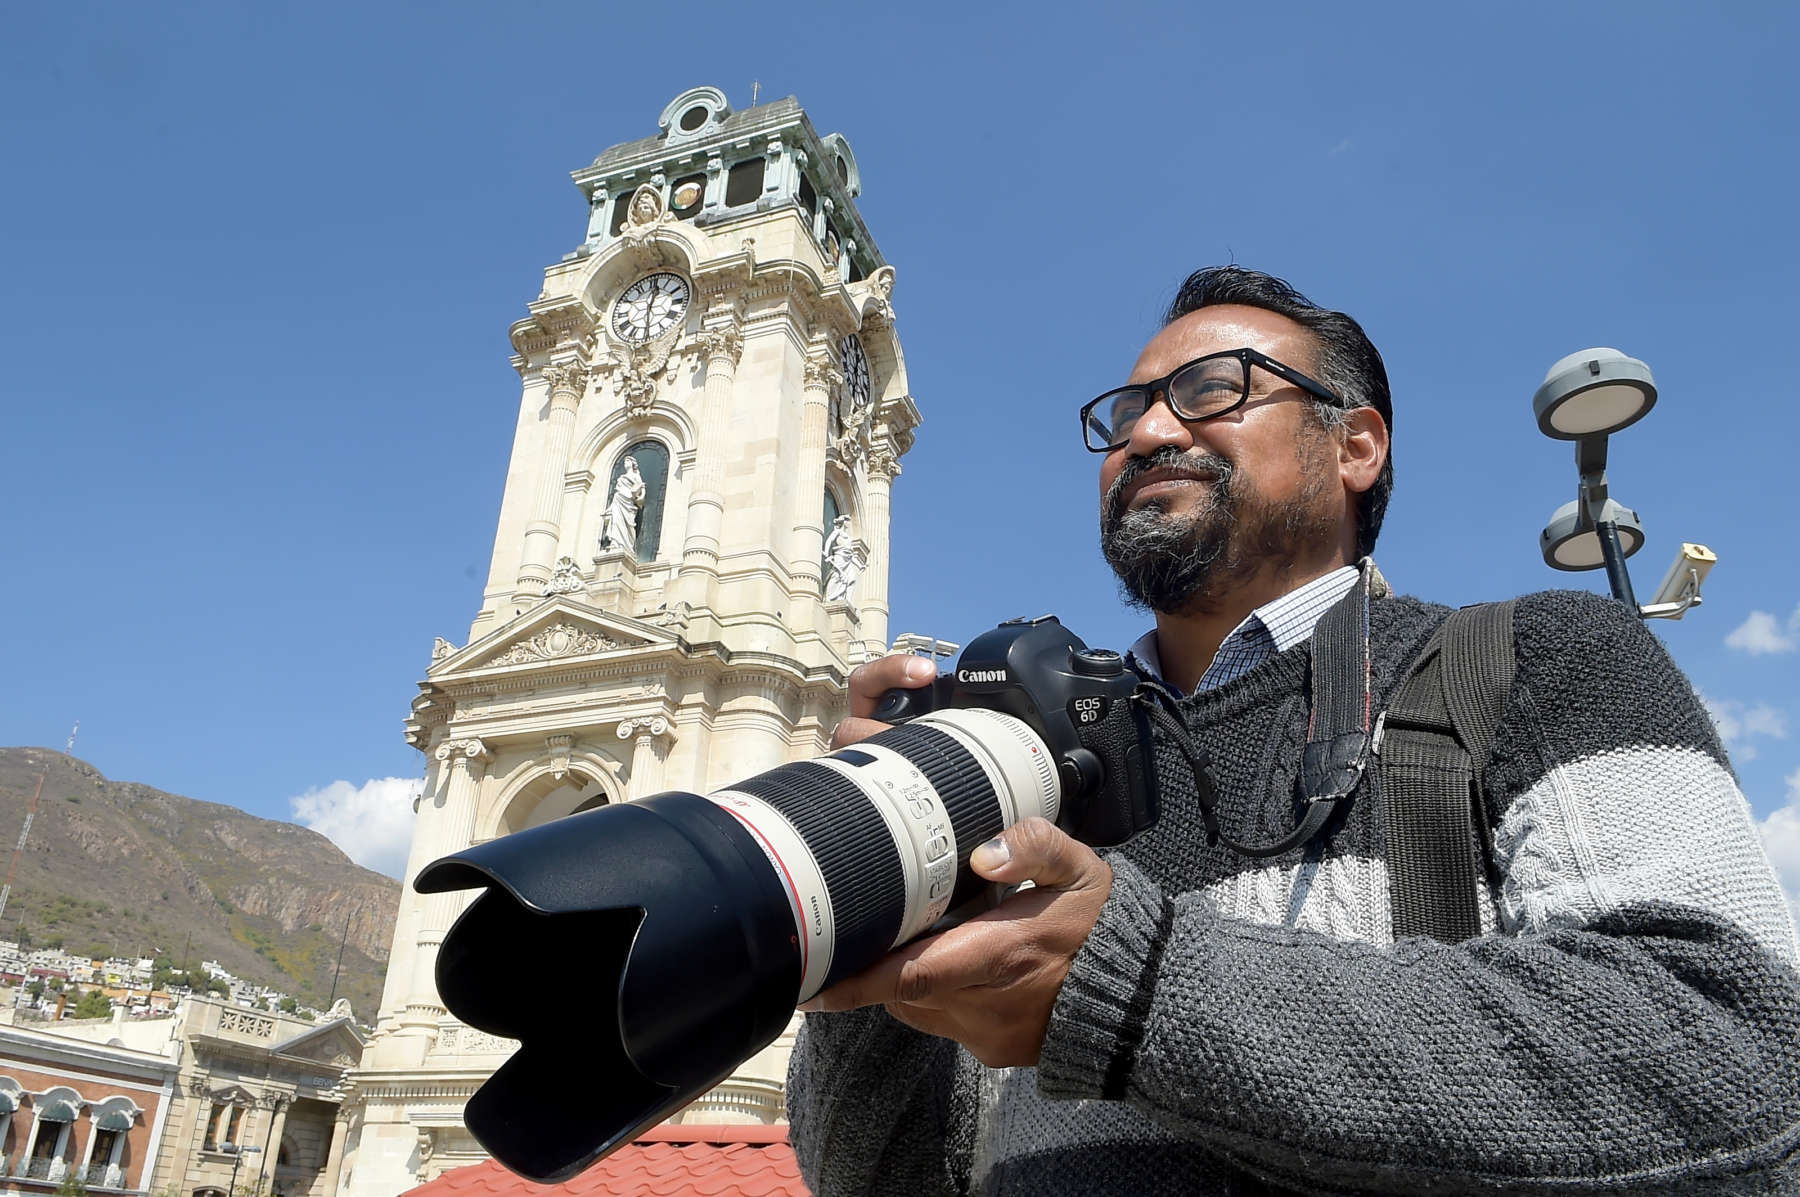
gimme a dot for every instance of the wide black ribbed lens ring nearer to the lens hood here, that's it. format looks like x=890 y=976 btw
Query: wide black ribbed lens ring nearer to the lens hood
x=856 y=852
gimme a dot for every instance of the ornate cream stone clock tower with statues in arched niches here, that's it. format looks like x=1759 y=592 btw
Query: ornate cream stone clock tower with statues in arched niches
x=692 y=555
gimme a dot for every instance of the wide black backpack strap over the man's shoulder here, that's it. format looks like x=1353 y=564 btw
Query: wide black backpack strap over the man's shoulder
x=1435 y=739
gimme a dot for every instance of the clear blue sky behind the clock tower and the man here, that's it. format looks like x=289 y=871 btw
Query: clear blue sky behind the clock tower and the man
x=260 y=264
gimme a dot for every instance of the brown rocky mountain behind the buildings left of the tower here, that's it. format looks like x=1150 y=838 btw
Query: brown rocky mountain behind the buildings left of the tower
x=118 y=868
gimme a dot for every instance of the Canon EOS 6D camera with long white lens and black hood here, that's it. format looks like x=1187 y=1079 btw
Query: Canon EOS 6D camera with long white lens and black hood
x=699 y=922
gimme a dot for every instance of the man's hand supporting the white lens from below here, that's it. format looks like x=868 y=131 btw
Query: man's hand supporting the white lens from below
x=991 y=984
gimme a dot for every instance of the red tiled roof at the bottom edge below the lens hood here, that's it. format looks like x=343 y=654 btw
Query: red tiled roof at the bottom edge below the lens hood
x=663 y=1162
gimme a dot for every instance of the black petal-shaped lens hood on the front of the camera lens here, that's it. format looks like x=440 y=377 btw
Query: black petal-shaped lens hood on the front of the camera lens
x=681 y=962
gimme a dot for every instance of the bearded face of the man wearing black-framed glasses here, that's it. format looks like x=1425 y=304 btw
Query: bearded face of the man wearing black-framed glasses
x=1187 y=510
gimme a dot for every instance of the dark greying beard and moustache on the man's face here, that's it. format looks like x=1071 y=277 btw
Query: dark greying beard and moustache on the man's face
x=1183 y=564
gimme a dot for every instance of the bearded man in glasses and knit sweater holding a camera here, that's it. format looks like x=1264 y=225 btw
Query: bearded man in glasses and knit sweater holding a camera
x=1183 y=1020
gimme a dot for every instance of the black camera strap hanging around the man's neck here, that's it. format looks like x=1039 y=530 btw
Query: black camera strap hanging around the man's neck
x=1338 y=730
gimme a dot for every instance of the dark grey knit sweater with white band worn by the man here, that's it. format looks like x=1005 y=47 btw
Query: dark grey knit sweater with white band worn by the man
x=1630 y=1021
